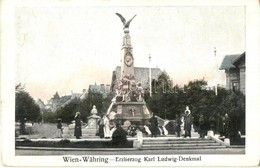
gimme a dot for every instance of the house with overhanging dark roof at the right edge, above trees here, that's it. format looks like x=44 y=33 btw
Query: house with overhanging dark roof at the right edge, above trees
x=235 y=69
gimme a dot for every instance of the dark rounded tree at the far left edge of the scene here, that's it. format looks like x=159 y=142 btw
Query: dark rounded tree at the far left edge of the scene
x=26 y=108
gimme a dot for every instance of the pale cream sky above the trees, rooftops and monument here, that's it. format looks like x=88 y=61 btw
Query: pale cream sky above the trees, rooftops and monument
x=66 y=48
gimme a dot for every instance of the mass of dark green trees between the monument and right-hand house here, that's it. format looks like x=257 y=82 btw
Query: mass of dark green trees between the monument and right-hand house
x=168 y=100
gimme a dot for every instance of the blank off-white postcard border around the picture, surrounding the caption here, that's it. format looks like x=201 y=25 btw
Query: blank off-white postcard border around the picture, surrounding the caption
x=251 y=158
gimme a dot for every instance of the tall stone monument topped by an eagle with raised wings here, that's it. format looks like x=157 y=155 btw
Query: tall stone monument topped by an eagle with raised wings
x=128 y=105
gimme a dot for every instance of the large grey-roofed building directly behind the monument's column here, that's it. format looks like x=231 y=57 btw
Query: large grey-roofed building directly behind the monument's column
x=141 y=76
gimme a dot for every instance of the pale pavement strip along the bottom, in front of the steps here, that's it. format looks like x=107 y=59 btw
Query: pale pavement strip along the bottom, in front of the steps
x=124 y=151
